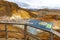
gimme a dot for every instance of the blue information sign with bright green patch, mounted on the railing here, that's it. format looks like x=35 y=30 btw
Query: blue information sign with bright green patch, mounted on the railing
x=41 y=24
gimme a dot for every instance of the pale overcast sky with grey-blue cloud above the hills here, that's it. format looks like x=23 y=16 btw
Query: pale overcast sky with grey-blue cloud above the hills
x=38 y=4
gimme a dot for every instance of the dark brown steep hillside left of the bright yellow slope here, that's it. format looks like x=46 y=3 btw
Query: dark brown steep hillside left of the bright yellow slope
x=6 y=8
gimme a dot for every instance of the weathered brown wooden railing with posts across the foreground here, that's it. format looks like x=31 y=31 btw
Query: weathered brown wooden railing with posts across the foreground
x=25 y=30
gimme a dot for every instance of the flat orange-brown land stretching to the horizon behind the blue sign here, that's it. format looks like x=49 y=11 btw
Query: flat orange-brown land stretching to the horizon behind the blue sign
x=49 y=15
